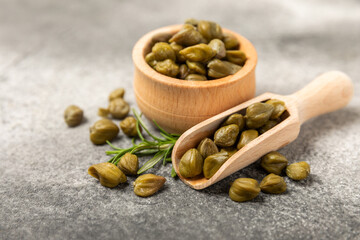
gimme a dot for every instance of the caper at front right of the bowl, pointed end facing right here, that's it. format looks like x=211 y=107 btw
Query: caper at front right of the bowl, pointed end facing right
x=219 y=69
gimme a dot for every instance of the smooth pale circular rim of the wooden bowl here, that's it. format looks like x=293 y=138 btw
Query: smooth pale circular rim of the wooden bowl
x=142 y=44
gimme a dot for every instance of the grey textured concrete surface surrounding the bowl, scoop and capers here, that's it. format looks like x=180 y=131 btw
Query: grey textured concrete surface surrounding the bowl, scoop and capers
x=56 y=53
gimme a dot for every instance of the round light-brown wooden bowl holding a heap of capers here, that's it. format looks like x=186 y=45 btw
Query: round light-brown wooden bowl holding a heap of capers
x=175 y=104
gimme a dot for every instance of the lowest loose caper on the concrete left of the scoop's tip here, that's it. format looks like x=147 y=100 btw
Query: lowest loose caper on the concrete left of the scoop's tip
x=148 y=184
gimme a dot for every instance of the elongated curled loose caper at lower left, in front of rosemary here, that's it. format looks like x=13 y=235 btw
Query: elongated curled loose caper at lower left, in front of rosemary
x=107 y=173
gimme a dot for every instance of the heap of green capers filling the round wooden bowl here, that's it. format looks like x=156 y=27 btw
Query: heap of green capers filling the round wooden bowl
x=200 y=51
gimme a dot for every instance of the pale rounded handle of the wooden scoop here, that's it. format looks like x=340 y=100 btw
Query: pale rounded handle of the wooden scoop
x=328 y=92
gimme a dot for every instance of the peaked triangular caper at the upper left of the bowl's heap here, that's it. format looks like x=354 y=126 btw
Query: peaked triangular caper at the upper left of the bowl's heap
x=188 y=36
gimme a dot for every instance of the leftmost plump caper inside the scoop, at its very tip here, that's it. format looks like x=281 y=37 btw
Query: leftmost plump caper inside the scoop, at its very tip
x=191 y=163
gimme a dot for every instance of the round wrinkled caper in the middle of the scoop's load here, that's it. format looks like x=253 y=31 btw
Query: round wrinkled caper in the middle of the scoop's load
x=226 y=136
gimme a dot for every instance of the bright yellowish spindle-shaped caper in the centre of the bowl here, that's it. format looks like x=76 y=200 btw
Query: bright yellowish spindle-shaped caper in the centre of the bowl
x=198 y=53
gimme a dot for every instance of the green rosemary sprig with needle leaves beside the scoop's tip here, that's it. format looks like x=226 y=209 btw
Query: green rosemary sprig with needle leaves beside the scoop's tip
x=160 y=147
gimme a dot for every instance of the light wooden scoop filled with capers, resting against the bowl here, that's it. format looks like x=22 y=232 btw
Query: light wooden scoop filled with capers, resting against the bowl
x=328 y=92
